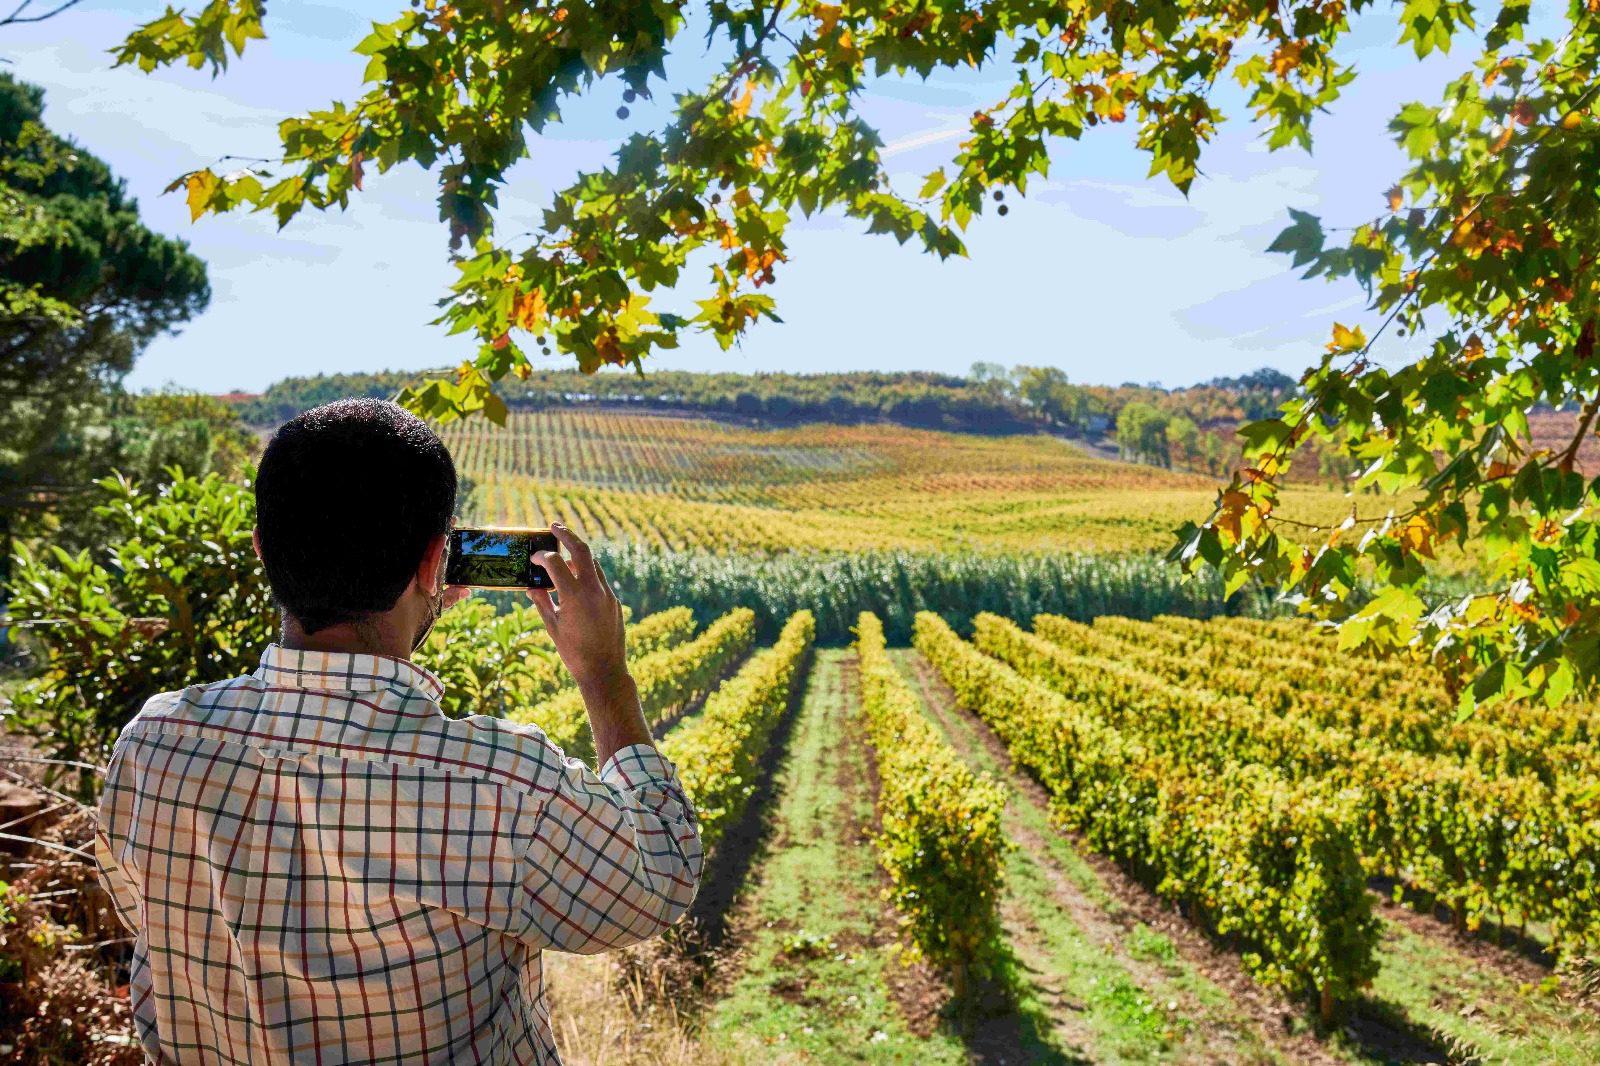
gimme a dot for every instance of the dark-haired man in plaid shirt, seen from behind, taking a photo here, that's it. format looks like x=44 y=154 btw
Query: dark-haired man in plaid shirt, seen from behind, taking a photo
x=316 y=864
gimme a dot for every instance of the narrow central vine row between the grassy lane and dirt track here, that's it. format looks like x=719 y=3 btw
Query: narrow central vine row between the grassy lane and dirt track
x=942 y=838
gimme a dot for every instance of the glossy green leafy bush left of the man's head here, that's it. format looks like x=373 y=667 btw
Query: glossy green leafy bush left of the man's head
x=174 y=598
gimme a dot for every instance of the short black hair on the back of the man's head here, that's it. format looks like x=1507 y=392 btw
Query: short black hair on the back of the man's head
x=348 y=497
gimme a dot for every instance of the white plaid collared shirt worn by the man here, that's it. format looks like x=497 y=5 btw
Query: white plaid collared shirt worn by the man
x=319 y=867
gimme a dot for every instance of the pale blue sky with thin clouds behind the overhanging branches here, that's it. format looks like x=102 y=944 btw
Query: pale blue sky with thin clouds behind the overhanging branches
x=1100 y=271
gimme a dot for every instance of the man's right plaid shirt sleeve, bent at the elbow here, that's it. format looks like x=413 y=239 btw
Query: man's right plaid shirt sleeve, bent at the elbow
x=617 y=857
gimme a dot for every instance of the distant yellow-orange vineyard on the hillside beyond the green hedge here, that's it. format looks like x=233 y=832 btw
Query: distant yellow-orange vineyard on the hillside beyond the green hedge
x=694 y=484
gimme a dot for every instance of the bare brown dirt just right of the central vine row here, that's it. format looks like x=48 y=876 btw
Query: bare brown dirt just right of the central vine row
x=1270 y=1017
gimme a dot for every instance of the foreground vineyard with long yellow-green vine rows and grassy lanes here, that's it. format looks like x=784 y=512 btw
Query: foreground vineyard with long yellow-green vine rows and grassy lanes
x=1242 y=803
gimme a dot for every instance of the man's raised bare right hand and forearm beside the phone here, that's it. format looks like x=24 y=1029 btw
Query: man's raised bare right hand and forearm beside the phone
x=586 y=625
